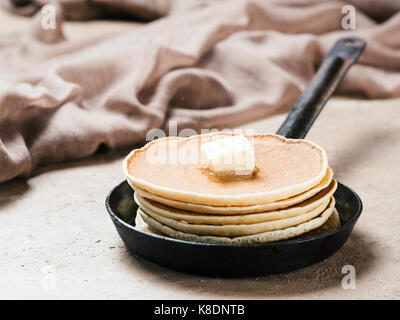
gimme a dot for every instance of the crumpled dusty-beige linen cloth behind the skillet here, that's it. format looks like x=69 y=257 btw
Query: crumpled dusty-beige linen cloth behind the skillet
x=203 y=64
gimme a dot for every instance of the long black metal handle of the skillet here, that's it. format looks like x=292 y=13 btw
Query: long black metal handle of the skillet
x=333 y=68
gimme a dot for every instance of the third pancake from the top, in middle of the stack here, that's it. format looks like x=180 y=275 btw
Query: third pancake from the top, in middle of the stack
x=190 y=217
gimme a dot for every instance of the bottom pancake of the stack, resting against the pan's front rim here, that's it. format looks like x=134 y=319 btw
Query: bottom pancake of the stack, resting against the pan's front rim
x=264 y=237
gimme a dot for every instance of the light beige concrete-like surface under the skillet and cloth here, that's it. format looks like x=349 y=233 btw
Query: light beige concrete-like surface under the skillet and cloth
x=57 y=218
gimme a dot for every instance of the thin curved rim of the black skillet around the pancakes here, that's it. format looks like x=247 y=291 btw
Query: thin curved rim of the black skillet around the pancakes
x=288 y=242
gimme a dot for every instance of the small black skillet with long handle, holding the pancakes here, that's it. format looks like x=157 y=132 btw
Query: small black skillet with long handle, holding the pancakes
x=245 y=260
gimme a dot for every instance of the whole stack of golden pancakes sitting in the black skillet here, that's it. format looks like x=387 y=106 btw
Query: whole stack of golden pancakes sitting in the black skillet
x=290 y=195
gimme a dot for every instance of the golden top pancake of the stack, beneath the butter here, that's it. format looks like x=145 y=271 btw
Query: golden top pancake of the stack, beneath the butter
x=172 y=168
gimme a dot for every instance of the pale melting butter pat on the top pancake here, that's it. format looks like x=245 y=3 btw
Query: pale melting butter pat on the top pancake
x=229 y=155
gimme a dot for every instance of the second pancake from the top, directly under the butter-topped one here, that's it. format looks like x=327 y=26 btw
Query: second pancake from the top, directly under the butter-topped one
x=326 y=186
